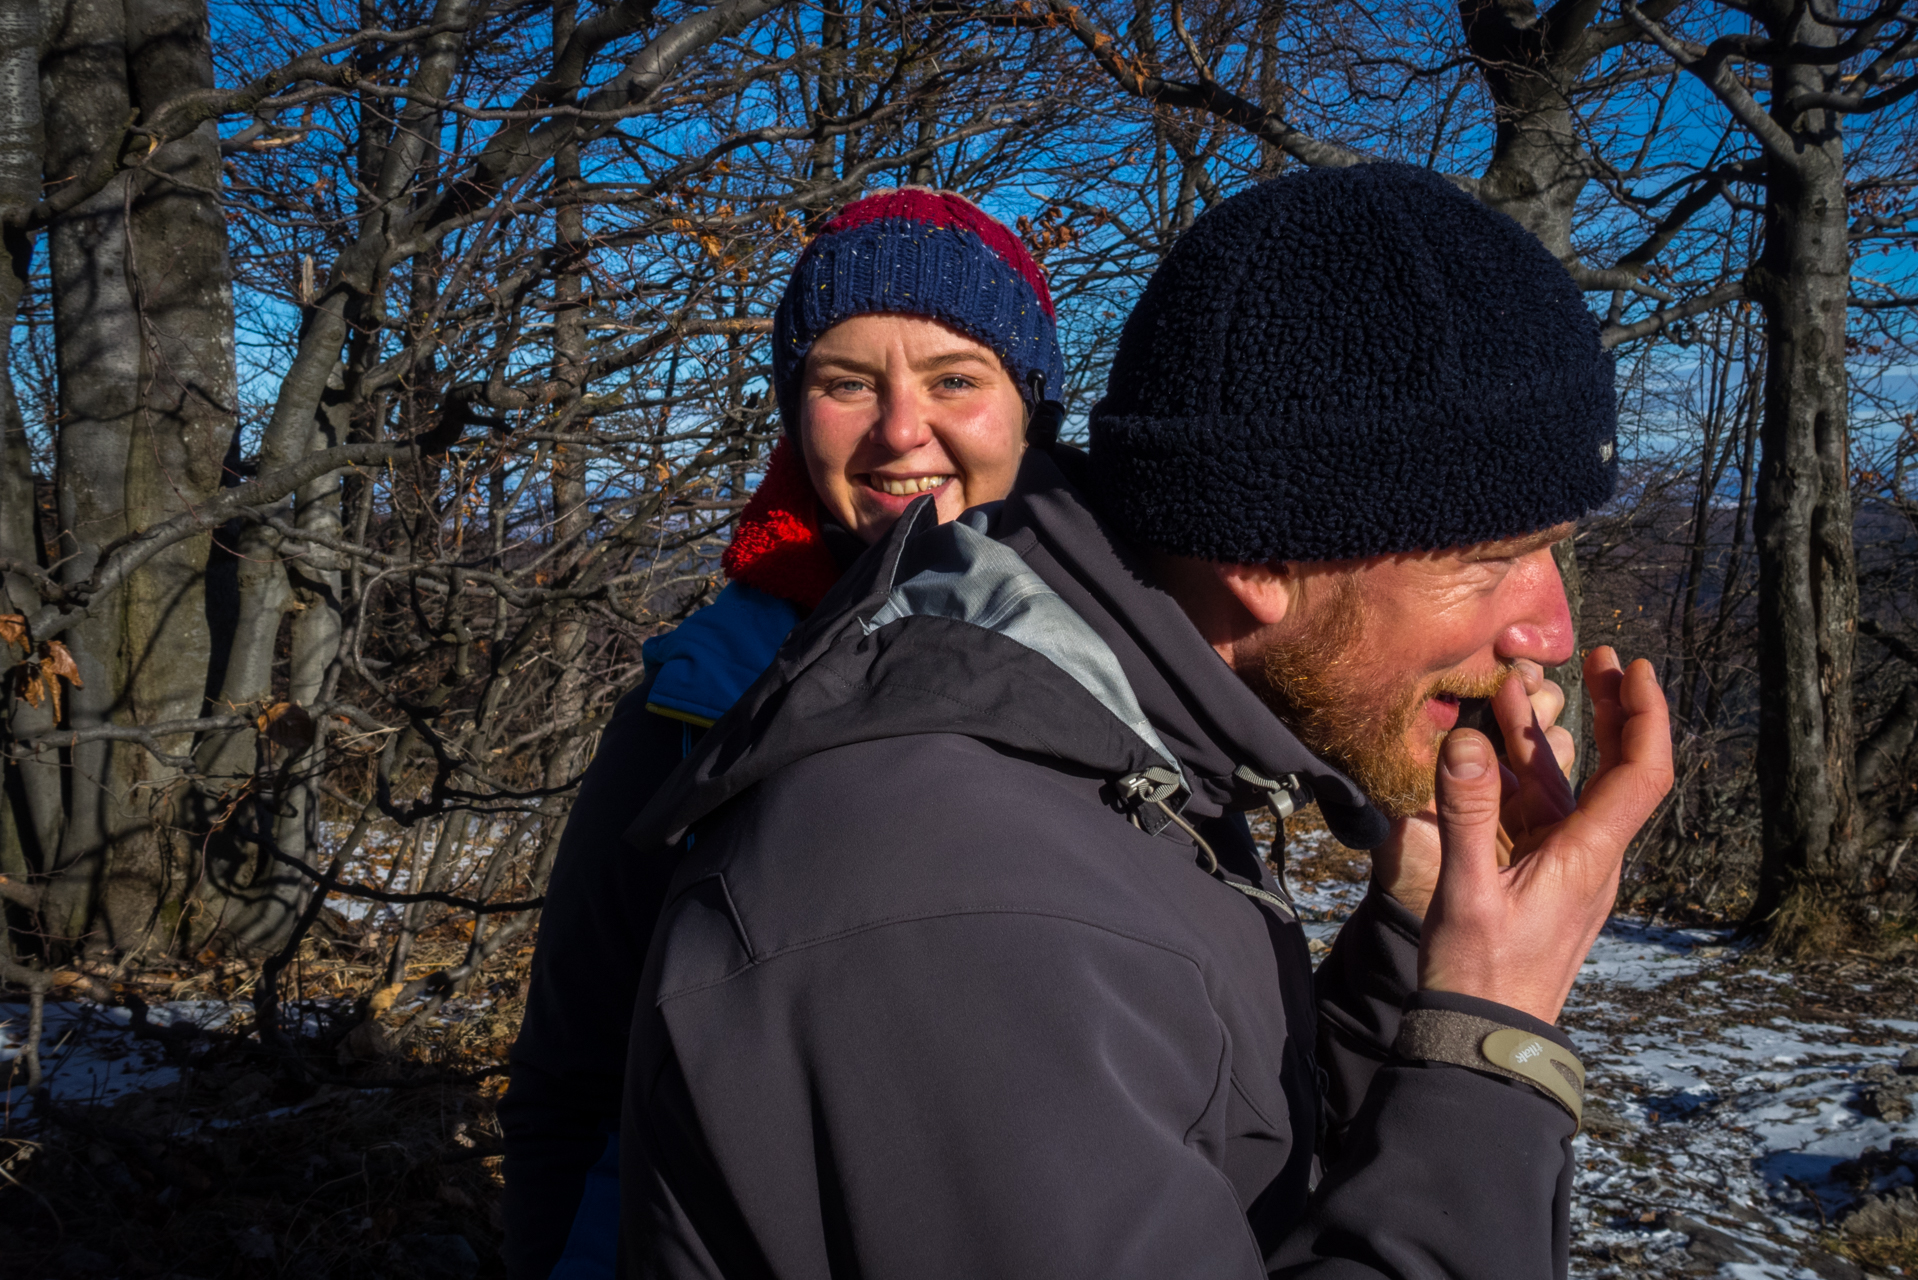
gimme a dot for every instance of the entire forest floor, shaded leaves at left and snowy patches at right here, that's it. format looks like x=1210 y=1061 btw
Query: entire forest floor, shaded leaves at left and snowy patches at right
x=1743 y=1120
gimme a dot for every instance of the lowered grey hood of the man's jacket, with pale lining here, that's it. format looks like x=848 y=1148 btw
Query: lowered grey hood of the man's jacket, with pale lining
x=1027 y=627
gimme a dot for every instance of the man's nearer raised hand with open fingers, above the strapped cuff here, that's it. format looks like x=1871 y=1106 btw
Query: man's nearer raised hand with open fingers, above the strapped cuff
x=1518 y=934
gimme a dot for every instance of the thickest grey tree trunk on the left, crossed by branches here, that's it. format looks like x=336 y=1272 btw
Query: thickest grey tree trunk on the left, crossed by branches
x=143 y=318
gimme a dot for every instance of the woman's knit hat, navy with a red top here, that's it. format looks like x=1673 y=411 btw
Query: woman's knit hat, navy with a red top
x=920 y=252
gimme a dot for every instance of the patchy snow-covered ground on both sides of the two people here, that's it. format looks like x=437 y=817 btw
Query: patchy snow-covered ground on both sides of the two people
x=1735 y=1110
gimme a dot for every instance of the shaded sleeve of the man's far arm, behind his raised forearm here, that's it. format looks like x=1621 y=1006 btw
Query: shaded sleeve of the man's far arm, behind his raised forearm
x=1363 y=985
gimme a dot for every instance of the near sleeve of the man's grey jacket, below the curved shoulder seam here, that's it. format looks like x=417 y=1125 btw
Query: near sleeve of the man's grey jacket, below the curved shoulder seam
x=1019 y=1095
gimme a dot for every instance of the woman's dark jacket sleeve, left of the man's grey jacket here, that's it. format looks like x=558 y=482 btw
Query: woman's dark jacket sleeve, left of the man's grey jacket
x=571 y=1056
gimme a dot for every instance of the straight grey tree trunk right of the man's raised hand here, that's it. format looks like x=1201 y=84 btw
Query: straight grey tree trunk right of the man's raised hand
x=1808 y=573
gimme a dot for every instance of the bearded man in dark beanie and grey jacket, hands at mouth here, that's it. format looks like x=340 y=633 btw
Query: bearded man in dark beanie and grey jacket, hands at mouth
x=971 y=966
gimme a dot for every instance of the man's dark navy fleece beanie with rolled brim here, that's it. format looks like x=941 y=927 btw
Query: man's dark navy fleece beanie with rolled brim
x=1351 y=364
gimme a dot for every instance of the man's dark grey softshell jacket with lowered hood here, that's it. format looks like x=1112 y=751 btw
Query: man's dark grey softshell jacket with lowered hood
x=939 y=991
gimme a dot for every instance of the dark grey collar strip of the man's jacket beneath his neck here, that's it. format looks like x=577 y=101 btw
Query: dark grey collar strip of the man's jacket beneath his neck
x=1196 y=703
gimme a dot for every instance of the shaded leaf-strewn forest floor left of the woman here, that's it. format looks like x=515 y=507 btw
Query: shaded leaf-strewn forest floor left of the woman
x=181 y=1150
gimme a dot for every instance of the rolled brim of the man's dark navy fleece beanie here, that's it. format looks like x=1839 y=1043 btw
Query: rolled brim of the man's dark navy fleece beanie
x=1328 y=486
